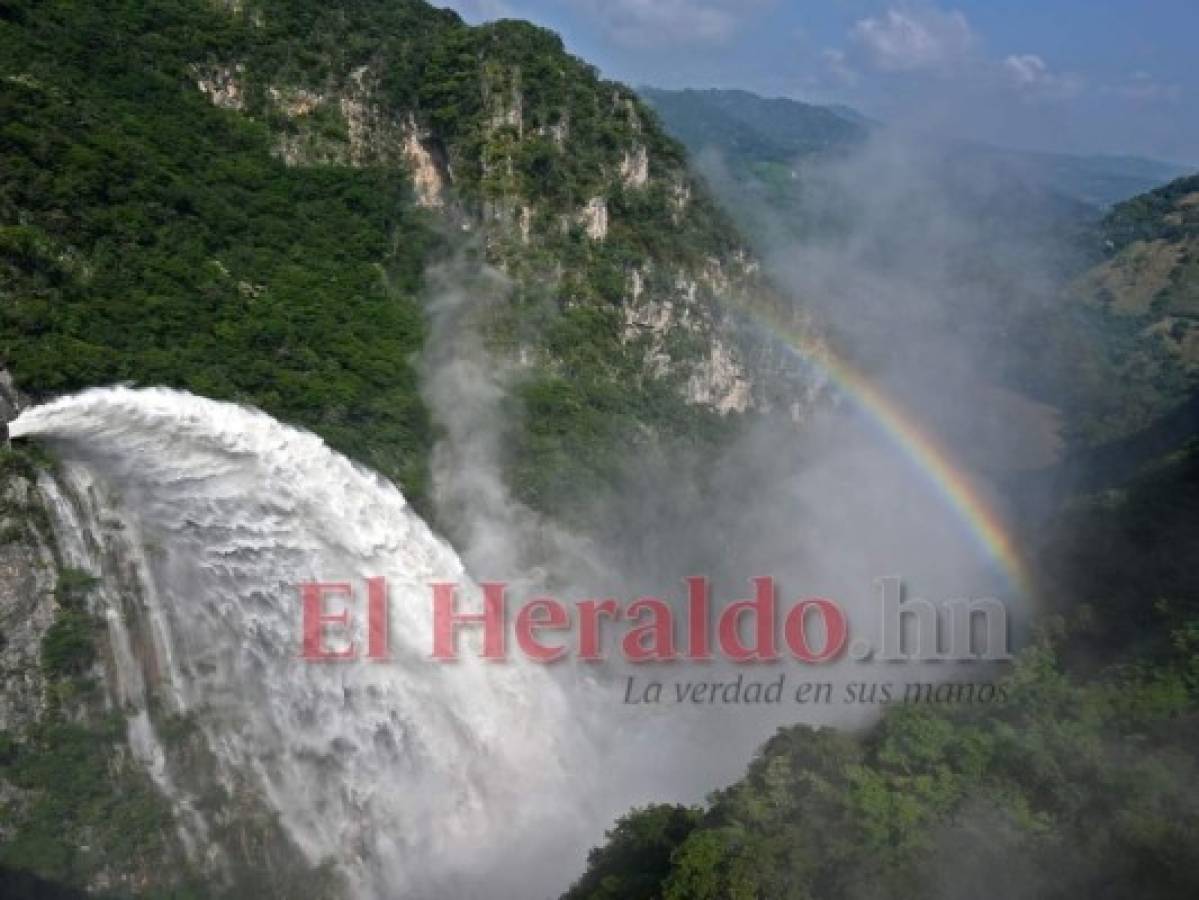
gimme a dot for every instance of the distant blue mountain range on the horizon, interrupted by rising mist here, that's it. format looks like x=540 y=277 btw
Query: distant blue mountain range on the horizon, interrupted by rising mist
x=751 y=130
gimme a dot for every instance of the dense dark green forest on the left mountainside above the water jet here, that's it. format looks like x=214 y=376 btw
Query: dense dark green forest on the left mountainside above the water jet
x=148 y=237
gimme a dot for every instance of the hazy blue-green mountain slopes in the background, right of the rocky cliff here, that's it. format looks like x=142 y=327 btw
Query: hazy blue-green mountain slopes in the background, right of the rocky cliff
x=1069 y=298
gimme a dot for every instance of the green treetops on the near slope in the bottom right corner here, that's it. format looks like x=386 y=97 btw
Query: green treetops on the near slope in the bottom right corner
x=1073 y=790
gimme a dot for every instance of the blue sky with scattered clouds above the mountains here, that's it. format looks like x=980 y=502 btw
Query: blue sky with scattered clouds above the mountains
x=1080 y=76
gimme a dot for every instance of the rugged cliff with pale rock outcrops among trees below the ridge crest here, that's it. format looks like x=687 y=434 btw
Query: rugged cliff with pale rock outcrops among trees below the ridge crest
x=577 y=192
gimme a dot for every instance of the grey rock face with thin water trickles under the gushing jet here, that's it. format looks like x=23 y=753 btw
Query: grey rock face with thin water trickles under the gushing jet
x=105 y=781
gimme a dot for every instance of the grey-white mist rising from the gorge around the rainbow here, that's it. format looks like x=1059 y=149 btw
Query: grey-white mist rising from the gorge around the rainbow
x=897 y=264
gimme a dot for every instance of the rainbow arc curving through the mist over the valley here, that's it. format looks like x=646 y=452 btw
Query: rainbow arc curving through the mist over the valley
x=921 y=449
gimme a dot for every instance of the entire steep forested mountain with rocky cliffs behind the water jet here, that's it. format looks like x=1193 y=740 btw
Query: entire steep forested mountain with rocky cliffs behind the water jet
x=616 y=253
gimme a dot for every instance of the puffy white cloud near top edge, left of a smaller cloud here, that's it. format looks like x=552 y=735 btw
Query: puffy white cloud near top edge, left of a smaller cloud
x=915 y=39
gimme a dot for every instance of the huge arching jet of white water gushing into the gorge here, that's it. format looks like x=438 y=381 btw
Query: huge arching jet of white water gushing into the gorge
x=415 y=778
